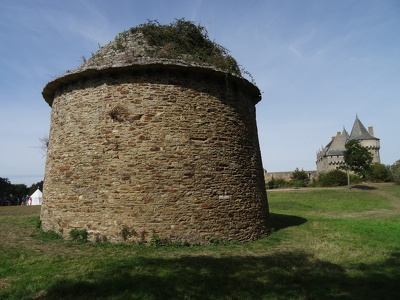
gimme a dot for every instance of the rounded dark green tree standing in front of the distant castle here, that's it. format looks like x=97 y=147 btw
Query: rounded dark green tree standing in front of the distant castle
x=357 y=158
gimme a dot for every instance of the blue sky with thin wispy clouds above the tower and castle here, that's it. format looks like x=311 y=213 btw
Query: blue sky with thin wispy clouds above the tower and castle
x=318 y=63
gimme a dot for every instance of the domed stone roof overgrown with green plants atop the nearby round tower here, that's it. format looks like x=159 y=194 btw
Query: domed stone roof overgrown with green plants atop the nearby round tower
x=135 y=50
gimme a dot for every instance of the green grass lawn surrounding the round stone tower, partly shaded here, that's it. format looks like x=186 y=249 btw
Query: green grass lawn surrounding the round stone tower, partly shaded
x=325 y=244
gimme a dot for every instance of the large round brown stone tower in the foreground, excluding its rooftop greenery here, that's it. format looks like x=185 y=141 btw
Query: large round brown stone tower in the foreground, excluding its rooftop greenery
x=145 y=145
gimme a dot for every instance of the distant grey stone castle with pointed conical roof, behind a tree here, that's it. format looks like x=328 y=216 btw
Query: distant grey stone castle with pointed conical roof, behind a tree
x=331 y=157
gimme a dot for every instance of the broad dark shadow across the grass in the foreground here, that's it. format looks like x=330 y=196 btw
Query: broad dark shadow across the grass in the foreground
x=291 y=275
